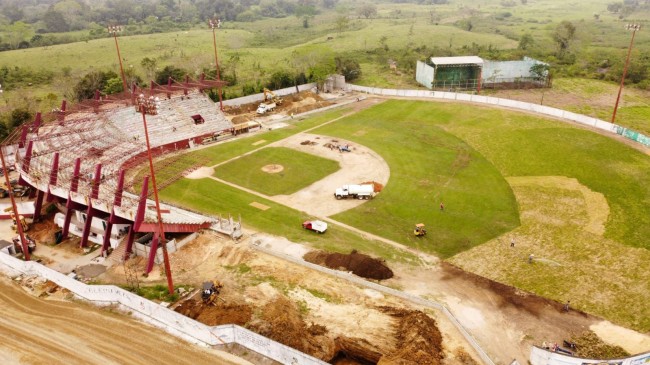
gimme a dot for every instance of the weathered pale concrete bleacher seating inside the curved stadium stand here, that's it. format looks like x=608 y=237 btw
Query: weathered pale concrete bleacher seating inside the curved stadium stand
x=113 y=136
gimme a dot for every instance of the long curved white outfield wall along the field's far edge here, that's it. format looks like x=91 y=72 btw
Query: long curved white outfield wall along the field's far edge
x=514 y=104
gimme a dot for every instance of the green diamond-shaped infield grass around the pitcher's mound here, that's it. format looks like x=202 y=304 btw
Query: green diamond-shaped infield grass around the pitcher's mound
x=299 y=170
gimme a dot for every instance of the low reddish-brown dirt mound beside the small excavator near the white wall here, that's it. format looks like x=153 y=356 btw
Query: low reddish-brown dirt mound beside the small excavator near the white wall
x=214 y=315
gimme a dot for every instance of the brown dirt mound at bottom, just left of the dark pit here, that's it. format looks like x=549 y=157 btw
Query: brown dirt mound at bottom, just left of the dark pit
x=281 y=321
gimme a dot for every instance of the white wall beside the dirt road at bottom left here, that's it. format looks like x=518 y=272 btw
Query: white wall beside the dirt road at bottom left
x=159 y=316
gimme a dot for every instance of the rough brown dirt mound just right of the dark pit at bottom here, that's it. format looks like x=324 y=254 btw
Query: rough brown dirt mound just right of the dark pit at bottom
x=419 y=340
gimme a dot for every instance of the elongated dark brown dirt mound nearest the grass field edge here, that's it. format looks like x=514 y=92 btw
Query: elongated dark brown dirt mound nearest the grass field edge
x=360 y=264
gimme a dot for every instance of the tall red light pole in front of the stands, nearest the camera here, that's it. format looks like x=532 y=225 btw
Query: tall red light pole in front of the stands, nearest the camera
x=150 y=106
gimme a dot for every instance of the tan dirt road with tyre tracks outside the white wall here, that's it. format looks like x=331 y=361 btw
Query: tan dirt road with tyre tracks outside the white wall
x=38 y=331
